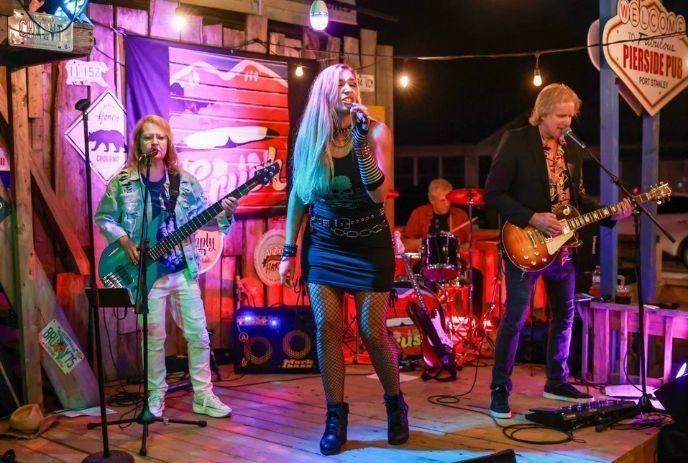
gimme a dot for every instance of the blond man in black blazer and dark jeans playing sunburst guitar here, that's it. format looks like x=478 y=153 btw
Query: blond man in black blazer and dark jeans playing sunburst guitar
x=534 y=170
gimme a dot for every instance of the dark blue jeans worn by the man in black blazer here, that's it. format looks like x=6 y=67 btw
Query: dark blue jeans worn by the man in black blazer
x=560 y=281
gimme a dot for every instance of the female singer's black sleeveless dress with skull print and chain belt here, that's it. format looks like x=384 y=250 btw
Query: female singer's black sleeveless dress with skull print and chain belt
x=347 y=243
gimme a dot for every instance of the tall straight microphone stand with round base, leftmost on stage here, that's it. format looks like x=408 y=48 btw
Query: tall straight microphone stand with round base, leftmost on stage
x=114 y=456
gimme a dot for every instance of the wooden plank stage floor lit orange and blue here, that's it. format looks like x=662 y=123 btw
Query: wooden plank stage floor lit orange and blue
x=279 y=418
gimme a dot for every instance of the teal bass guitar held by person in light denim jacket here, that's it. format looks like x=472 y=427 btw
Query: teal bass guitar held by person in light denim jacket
x=116 y=270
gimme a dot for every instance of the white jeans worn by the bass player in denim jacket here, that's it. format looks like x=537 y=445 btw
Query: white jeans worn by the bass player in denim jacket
x=186 y=307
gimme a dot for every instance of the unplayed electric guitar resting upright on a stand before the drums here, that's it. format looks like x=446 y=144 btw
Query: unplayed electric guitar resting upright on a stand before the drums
x=437 y=348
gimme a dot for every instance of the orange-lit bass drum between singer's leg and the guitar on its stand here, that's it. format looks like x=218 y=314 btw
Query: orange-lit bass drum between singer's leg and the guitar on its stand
x=405 y=332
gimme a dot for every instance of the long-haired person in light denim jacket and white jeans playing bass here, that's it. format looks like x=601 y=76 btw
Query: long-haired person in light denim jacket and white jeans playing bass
x=119 y=217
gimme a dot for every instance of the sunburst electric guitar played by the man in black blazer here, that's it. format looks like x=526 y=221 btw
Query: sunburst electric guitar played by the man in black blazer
x=531 y=250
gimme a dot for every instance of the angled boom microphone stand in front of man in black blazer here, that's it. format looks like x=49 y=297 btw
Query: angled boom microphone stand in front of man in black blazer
x=644 y=404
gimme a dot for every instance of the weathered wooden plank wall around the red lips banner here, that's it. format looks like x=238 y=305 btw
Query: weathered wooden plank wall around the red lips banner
x=51 y=108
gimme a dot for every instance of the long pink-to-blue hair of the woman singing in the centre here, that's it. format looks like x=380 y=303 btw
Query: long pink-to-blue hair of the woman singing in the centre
x=313 y=166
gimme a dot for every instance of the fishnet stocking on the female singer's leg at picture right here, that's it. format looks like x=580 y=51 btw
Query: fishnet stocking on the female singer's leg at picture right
x=372 y=317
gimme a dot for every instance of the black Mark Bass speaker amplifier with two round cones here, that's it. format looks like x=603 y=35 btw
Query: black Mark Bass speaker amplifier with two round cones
x=274 y=340
